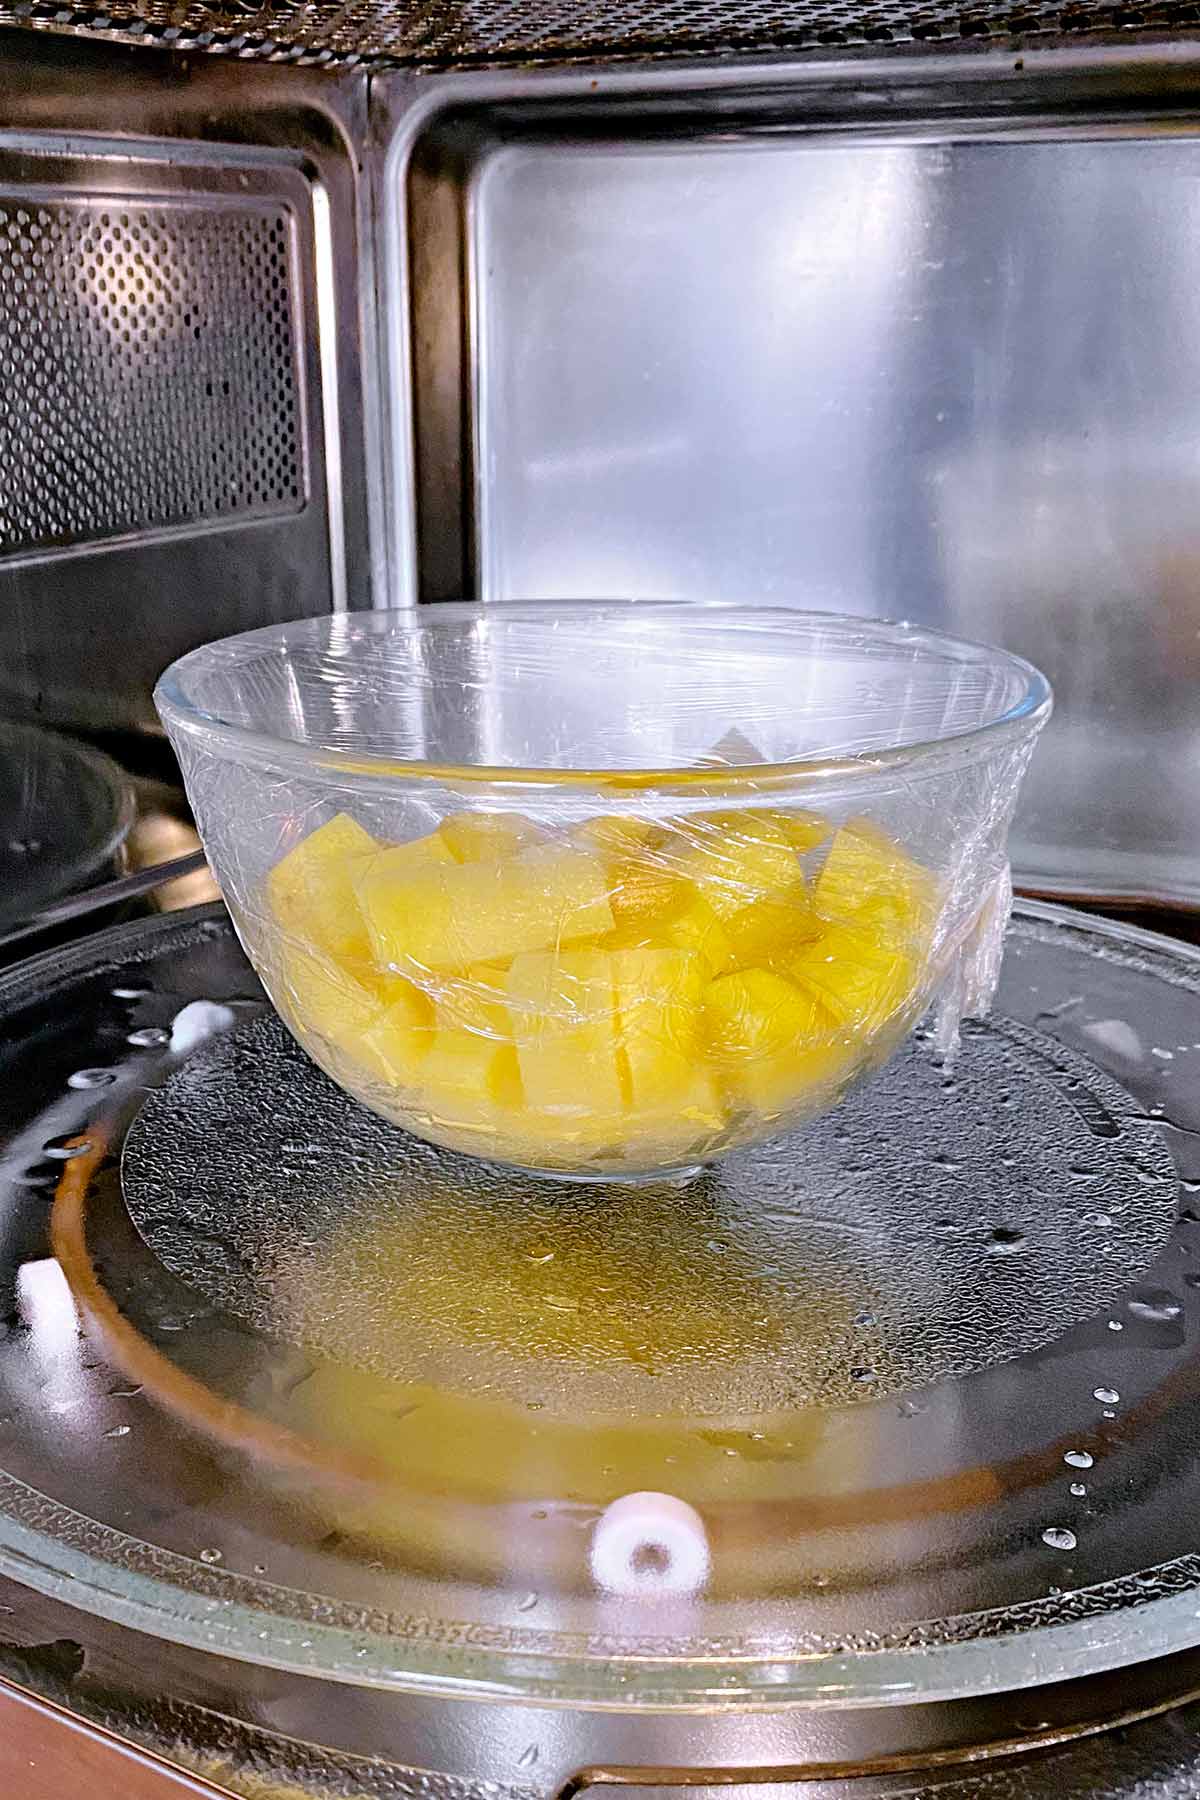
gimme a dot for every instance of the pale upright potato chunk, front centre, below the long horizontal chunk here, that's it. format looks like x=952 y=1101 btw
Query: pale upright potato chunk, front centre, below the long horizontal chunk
x=562 y=1011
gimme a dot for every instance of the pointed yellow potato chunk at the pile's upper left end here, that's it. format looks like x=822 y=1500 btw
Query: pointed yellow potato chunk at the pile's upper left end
x=312 y=890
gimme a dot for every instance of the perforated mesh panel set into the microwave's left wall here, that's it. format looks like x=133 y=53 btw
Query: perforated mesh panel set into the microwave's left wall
x=148 y=357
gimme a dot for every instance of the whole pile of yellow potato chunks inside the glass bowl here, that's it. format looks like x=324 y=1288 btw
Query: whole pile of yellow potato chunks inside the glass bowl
x=613 y=998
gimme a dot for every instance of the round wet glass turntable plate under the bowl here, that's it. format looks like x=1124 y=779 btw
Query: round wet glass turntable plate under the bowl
x=902 y=1408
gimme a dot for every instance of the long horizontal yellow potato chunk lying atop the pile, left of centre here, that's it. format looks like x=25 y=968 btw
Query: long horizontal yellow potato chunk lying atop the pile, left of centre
x=483 y=912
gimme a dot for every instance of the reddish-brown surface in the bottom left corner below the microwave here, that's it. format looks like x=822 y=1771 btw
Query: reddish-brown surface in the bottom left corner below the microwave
x=49 y=1756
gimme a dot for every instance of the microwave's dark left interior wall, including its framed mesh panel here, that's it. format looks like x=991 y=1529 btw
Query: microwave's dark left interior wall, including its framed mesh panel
x=181 y=361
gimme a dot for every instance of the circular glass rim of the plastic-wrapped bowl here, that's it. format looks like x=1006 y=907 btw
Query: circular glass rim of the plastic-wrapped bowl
x=247 y=744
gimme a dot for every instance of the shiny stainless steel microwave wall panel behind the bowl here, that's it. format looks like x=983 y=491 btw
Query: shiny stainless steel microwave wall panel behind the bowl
x=670 y=346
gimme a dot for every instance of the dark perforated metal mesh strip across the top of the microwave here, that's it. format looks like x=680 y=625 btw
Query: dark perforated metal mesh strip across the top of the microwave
x=478 y=33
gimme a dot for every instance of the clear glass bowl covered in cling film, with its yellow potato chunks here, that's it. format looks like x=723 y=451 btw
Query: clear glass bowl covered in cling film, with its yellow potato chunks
x=604 y=888
